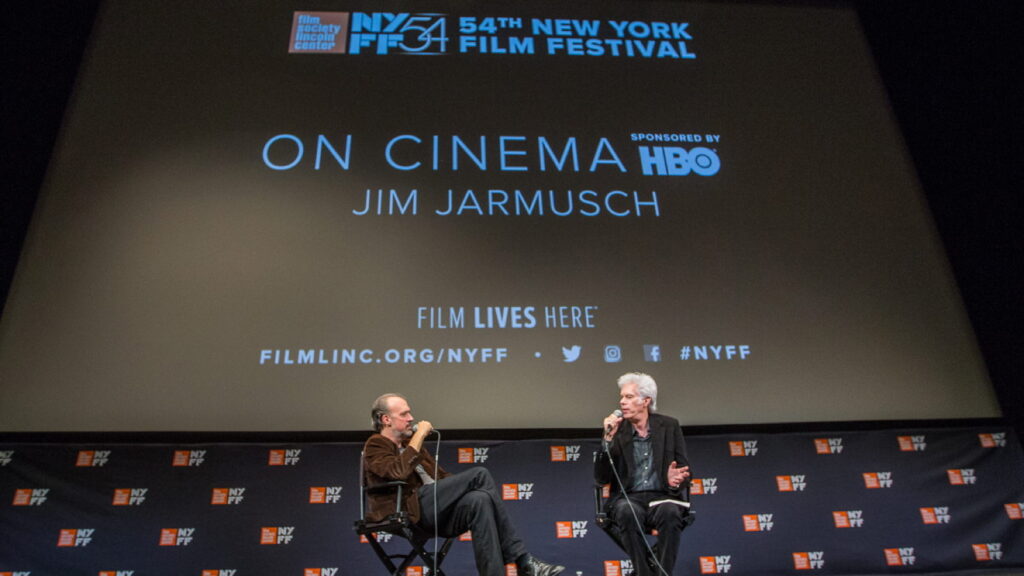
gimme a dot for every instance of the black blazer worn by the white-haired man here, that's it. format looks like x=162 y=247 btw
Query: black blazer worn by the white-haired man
x=668 y=446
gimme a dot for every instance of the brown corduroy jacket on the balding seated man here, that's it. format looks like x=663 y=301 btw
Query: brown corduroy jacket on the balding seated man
x=385 y=463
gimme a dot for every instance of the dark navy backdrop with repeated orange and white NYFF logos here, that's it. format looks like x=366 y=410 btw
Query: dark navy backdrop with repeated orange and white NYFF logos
x=893 y=502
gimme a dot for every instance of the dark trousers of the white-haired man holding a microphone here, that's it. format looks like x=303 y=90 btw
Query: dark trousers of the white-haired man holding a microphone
x=667 y=519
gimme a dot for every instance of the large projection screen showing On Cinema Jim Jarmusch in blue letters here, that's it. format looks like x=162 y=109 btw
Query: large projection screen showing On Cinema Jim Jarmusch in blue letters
x=261 y=217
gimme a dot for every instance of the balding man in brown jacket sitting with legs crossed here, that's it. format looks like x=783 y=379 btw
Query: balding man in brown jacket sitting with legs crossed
x=468 y=501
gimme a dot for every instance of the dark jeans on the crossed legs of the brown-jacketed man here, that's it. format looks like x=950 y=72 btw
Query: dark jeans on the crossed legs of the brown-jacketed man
x=470 y=501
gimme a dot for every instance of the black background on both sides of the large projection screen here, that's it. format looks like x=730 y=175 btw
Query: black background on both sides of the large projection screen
x=951 y=70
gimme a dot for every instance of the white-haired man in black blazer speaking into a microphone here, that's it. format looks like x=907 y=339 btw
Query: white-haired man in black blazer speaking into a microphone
x=644 y=458
